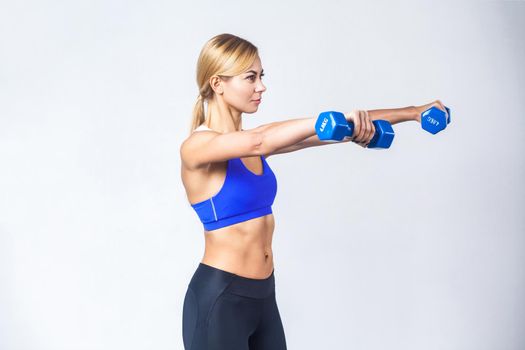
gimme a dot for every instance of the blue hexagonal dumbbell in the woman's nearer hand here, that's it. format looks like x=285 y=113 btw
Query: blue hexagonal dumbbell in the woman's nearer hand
x=333 y=125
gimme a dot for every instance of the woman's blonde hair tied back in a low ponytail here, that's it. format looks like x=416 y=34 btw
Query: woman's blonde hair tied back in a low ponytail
x=224 y=55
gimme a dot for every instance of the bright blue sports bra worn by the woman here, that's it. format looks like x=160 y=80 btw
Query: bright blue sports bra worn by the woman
x=243 y=196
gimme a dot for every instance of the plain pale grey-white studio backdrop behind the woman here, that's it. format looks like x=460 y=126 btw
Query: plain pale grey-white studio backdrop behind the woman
x=417 y=247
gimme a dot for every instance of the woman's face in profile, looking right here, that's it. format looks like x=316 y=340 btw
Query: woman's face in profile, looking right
x=243 y=92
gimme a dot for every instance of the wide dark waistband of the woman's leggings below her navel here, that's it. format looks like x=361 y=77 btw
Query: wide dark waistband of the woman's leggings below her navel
x=211 y=277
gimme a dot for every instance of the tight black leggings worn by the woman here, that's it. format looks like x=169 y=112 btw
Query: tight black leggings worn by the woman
x=225 y=311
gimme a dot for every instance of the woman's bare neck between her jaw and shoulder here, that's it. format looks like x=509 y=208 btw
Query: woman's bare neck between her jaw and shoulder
x=221 y=117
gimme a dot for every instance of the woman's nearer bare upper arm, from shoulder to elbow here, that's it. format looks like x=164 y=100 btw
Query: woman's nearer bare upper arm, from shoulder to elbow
x=205 y=147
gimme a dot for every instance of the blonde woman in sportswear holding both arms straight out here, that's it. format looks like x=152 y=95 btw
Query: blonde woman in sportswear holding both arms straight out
x=230 y=301
